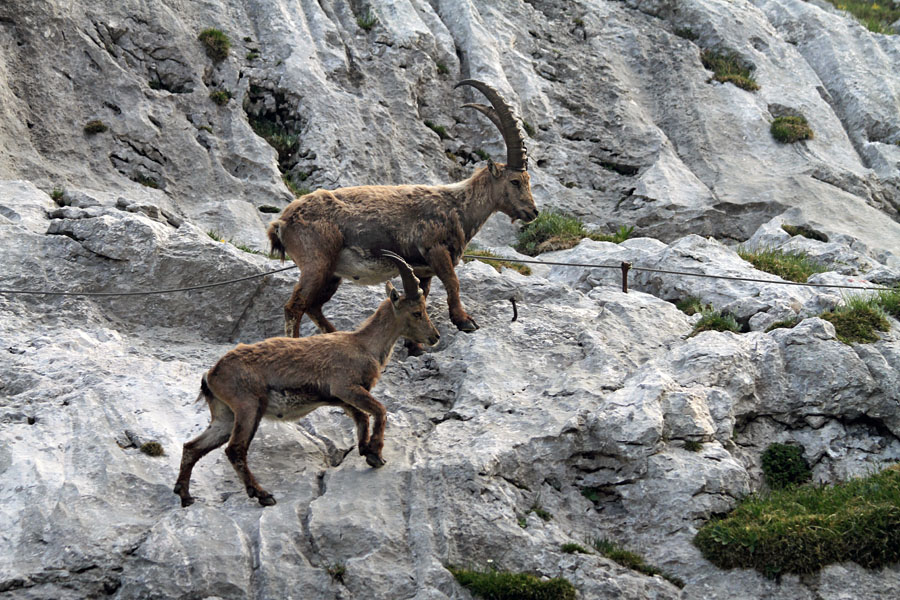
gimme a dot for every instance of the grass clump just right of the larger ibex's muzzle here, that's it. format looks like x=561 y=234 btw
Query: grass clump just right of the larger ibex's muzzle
x=556 y=231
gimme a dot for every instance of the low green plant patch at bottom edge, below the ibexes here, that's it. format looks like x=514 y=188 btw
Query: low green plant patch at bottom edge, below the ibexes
x=503 y=585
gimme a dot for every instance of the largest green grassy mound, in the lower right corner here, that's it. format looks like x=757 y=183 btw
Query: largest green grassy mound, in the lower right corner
x=802 y=528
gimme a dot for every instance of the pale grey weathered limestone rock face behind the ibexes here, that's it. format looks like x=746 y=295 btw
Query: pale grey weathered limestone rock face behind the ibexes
x=590 y=389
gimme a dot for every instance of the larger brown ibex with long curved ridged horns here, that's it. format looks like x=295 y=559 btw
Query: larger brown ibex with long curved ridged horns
x=336 y=234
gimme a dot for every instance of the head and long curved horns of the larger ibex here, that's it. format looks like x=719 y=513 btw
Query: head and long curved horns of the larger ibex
x=512 y=179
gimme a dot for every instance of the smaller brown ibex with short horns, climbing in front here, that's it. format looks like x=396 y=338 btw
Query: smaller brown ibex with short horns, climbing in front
x=288 y=378
